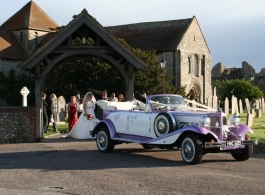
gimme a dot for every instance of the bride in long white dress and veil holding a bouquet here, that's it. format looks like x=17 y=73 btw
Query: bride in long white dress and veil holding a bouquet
x=83 y=126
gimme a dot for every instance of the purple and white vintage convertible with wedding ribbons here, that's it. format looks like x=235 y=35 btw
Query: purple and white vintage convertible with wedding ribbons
x=165 y=121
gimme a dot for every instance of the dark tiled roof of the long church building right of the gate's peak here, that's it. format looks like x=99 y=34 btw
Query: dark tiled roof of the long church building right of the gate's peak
x=163 y=35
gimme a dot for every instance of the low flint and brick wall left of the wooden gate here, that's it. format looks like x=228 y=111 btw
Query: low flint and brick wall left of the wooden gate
x=17 y=124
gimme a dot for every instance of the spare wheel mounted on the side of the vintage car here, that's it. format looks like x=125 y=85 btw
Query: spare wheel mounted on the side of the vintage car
x=163 y=124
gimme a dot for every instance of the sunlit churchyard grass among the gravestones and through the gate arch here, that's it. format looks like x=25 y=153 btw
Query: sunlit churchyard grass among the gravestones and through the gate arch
x=258 y=127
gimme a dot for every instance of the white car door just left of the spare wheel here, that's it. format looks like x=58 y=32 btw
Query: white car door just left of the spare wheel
x=140 y=123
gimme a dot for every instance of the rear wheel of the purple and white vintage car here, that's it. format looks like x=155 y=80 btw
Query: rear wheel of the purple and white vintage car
x=104 y=142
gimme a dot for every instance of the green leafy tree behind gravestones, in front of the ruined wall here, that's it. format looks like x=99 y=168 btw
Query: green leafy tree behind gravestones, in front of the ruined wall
x=239 y=88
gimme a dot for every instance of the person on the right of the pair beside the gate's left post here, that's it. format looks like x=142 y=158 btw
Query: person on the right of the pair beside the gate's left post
x=52 y=111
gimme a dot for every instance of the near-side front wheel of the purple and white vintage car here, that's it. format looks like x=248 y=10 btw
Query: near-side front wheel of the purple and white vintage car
x=192 y=149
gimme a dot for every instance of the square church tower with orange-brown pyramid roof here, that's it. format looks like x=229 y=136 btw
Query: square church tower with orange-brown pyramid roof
x=29 y=26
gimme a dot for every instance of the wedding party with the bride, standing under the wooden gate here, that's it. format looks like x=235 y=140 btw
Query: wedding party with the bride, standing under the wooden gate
x=81 y=113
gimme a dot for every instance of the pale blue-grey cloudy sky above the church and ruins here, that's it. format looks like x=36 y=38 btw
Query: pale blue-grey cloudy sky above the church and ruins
x=234 y=29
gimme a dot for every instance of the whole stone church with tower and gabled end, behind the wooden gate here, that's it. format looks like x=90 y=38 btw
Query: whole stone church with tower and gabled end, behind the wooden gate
x=179 y=42
